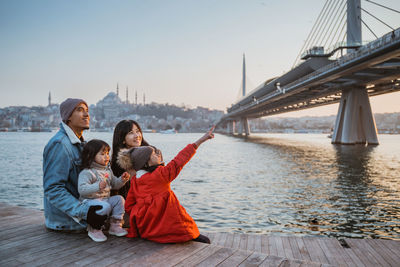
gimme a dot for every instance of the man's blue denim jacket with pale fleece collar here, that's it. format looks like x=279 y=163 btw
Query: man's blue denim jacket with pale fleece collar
x=61 y=166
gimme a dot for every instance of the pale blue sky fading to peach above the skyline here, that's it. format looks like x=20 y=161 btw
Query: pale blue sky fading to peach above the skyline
x=182 y=52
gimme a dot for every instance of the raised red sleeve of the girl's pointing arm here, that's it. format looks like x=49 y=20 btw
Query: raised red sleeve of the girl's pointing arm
x=173 y=168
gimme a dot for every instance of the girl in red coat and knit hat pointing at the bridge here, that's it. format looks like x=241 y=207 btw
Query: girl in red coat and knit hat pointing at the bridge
x=155 y=212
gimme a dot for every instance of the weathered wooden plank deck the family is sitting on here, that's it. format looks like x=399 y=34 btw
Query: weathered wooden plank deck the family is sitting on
x=24 y=241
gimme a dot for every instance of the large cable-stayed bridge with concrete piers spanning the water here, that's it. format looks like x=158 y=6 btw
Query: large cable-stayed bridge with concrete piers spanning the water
x=365 y=70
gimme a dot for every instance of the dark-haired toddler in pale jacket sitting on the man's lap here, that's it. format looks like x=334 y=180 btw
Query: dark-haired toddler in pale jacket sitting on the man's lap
x=94 y=184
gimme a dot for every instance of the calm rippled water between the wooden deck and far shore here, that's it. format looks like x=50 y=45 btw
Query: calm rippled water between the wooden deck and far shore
x=269 y=183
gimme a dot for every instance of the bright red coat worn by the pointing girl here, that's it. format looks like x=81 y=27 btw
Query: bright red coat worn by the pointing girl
x=155 y=212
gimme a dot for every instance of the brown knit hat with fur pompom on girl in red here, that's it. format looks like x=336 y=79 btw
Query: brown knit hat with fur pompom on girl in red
x=134 y=158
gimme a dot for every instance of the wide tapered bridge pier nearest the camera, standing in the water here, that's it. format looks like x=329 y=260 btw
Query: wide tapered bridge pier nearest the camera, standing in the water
x=355 y=122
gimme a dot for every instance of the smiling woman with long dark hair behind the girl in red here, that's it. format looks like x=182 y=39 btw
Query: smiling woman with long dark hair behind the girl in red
x=127 y=134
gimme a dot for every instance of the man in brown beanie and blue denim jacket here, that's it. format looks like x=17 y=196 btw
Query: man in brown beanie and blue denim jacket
x=61 y=166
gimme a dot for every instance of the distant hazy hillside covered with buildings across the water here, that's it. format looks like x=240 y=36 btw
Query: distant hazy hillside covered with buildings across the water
x=107 y=112
